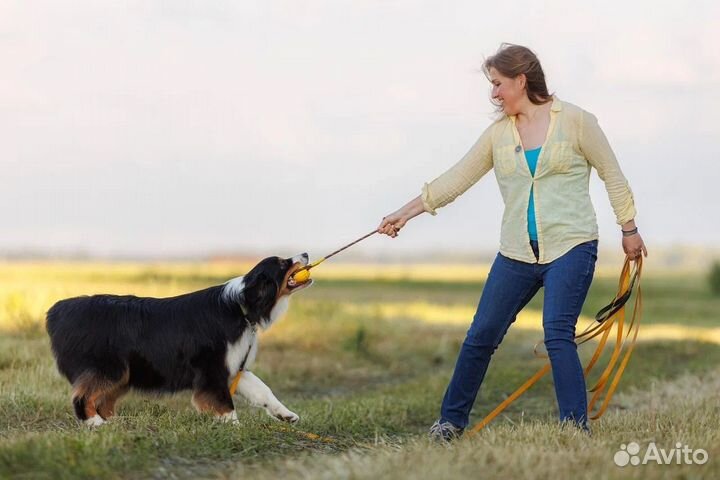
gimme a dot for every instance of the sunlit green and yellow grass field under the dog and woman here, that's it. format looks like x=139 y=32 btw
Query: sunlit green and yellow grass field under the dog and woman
x=363 y=357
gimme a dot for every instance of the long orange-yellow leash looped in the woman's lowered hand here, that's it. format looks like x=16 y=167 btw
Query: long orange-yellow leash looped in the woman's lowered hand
x=611 y=315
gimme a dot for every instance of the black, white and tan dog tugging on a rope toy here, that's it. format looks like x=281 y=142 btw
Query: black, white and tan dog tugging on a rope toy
x=108 y=344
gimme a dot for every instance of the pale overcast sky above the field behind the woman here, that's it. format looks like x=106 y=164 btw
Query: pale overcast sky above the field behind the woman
x=190 y=127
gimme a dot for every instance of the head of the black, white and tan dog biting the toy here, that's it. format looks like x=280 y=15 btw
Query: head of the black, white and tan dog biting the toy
x=269 y=284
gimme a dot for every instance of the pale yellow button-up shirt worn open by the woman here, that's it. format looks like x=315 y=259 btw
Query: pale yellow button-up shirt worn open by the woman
x=563 y=212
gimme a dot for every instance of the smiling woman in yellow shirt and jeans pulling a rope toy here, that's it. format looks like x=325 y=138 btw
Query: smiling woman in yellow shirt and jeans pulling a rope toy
x=542 y=150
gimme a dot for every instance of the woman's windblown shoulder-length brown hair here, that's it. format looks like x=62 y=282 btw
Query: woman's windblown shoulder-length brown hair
x=512 y=60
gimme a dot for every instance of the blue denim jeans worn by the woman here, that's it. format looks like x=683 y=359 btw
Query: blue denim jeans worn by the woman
x=511 y=284
